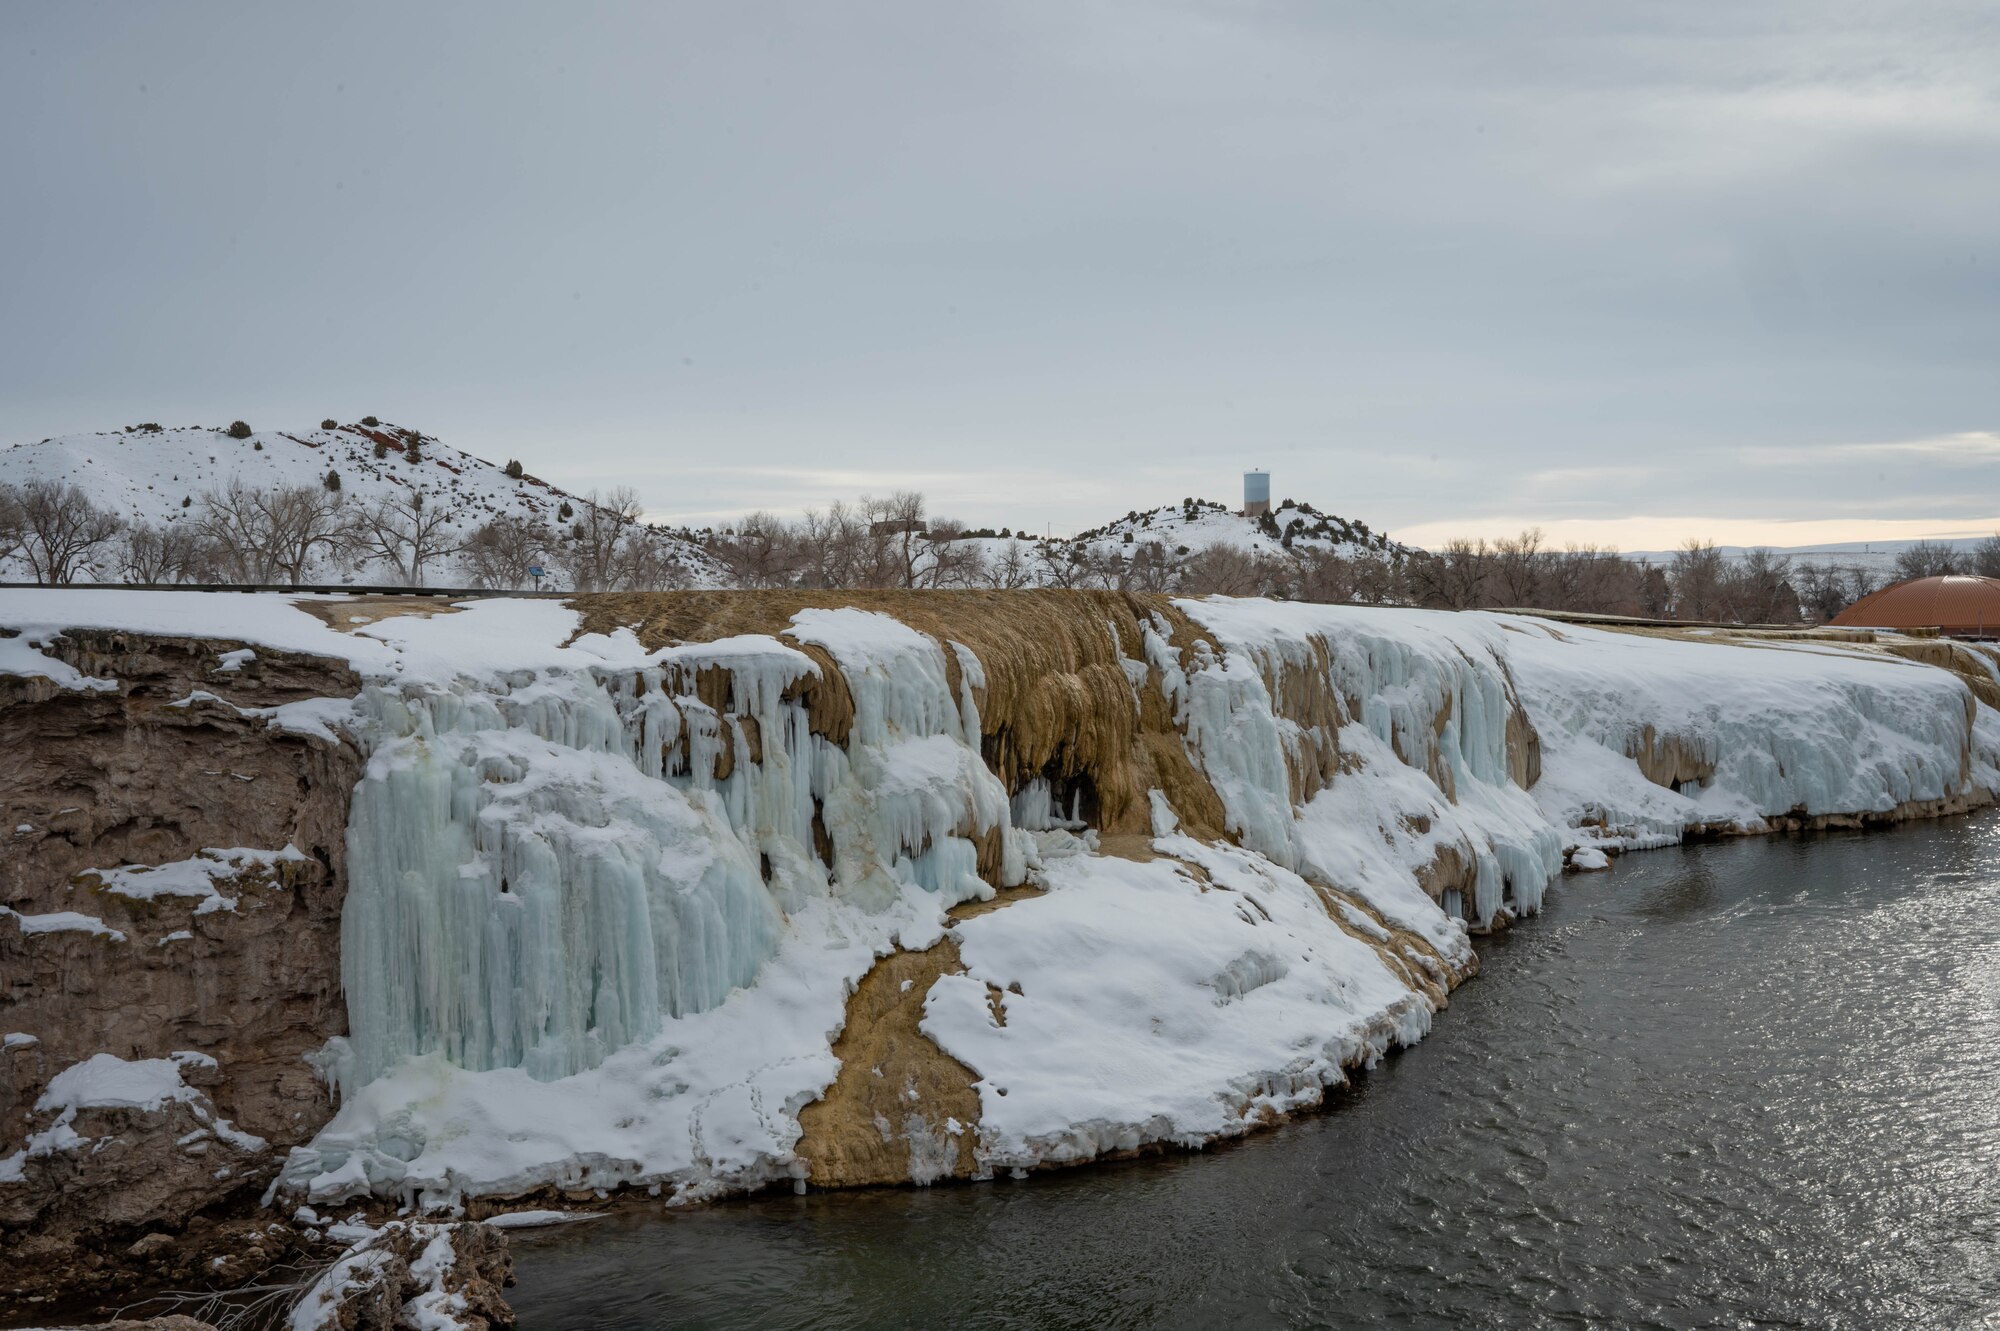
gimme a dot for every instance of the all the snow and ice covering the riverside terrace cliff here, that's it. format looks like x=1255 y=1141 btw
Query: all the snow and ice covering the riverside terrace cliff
x=603 y=932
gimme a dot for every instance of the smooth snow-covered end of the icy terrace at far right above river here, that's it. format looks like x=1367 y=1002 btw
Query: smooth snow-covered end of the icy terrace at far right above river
x=1647 y=738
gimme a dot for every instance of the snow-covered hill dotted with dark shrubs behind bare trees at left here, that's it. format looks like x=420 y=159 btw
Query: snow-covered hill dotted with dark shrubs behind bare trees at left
x=159 y=477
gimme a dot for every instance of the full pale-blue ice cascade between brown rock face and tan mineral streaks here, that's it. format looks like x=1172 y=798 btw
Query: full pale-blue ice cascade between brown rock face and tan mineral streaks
x=545 y=866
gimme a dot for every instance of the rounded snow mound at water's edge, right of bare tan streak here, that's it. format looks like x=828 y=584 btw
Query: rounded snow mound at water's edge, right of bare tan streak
x=1139 y=1004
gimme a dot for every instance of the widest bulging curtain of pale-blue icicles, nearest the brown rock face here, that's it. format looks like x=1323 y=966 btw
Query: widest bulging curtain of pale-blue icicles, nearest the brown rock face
x=523 y=894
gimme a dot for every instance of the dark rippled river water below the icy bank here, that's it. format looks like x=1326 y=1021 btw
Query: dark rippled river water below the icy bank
x=1751 y=1084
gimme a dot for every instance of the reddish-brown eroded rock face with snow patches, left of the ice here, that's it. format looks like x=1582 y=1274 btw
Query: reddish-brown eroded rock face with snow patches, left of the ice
x=233 y=964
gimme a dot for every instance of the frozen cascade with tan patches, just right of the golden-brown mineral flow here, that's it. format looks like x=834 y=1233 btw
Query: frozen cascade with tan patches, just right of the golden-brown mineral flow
x=1421 y=724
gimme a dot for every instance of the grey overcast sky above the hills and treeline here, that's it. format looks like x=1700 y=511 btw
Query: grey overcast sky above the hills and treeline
x=1625 y=271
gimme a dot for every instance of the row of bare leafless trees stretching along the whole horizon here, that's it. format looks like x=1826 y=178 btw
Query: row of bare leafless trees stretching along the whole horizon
x=313 y=533
